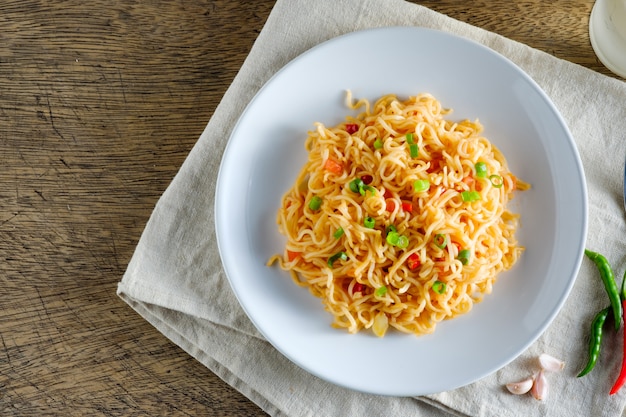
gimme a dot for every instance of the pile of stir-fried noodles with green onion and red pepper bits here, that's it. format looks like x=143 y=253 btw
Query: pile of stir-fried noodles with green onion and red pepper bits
x=399 y=217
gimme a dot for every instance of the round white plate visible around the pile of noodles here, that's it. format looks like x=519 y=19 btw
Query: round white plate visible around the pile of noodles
x=266 y=152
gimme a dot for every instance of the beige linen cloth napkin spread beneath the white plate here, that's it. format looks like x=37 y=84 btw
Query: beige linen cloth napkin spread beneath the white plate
x=175 y=279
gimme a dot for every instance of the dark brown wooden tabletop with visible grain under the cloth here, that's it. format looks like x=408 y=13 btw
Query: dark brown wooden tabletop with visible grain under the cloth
x=100 y=103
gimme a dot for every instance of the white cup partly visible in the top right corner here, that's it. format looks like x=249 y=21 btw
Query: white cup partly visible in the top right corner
x=607 y=32
